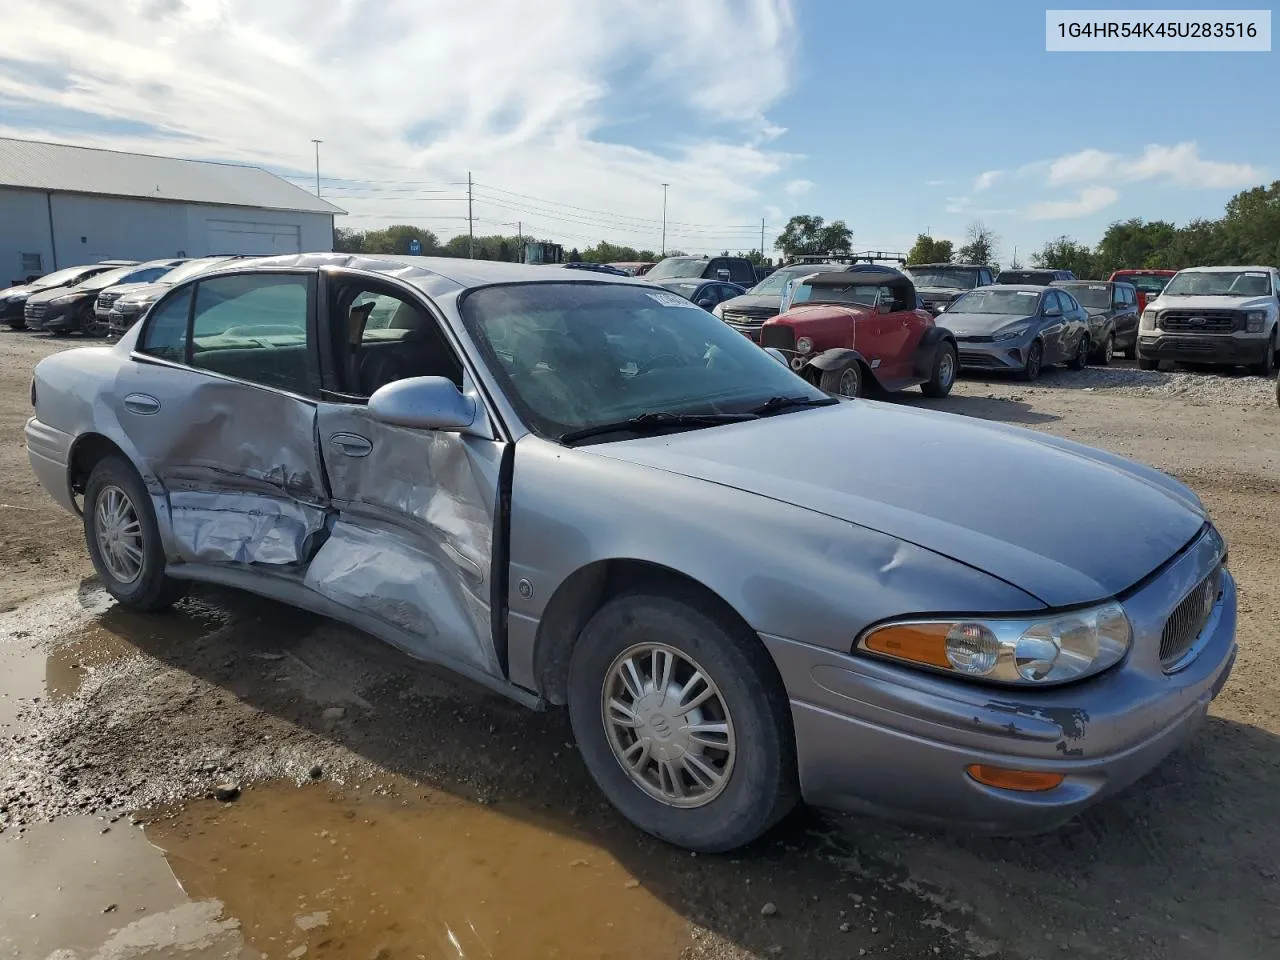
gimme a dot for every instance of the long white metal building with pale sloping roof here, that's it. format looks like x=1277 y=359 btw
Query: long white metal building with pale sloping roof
x=63 y=207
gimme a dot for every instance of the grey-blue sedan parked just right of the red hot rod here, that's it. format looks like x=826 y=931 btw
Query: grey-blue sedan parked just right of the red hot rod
x=1018 y=328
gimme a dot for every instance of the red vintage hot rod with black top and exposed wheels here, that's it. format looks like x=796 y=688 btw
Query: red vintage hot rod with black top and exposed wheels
x=862 y=327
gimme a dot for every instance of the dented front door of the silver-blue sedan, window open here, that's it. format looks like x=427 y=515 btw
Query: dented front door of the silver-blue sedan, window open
x=413 y=545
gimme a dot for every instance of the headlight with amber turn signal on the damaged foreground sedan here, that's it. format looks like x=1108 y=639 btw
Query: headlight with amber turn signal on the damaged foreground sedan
x=1026 y=651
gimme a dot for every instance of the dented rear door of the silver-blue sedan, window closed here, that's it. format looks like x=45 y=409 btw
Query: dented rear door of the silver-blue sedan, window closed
x=221 y=406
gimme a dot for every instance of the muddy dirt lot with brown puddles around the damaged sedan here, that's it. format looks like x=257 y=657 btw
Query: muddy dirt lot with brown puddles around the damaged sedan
x=386 y=811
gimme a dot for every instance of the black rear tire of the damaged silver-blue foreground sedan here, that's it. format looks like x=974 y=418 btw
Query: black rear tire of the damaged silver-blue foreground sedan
x=149 y=589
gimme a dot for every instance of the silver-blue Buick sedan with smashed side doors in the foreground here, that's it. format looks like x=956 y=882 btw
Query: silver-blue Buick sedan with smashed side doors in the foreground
x=587 y=491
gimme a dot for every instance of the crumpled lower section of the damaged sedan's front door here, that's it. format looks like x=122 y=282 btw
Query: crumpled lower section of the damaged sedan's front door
x=382 y=575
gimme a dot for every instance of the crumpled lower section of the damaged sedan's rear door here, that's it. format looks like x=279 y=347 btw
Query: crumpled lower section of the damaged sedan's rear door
x=243 y=528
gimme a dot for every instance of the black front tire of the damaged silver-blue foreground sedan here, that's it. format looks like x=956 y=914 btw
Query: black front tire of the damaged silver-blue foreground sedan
x=761 y=784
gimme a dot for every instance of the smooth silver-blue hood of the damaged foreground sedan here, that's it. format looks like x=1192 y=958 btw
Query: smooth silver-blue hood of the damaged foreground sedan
x=1017 y=505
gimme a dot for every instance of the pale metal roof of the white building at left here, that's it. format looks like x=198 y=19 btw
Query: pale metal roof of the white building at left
x=68 y=170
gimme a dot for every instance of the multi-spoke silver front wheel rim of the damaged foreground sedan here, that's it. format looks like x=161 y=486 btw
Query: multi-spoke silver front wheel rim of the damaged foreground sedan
x=669 y=725
